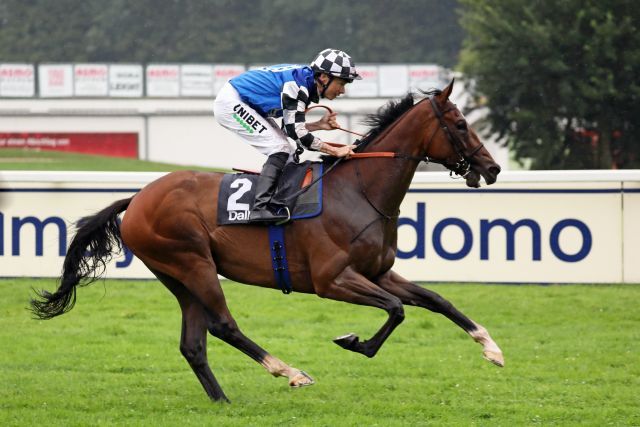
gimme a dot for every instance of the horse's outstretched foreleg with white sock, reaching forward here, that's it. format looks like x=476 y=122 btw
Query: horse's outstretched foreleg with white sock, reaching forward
x=412 y=294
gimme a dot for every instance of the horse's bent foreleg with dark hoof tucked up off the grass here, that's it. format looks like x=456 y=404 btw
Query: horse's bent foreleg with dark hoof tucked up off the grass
x=354 y=288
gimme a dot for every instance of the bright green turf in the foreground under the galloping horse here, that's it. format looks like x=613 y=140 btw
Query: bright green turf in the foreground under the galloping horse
x=571 y=359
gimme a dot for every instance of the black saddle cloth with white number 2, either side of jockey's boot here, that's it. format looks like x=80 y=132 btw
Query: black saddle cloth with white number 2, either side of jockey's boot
x=237 y=192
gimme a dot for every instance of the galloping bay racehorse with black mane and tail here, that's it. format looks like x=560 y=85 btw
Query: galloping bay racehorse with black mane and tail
x=345 y=254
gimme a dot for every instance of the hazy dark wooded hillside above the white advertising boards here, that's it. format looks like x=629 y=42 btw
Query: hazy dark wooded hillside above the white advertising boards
x=221 y=31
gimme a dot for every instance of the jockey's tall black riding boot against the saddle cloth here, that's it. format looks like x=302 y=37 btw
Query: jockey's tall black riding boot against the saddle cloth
x=263 y=210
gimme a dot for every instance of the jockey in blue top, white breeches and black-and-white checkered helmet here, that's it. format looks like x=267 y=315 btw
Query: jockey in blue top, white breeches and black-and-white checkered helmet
x=247 y=104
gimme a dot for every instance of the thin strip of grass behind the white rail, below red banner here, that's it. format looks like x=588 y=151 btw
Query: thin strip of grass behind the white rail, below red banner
x=29 y=159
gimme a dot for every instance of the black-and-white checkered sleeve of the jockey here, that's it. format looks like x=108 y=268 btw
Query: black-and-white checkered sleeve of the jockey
x=295 y=100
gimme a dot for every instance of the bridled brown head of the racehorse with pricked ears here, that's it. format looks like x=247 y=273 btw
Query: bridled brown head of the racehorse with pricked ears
x=455 y=144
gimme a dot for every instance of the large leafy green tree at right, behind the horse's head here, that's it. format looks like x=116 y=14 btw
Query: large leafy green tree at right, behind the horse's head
x=560 y=78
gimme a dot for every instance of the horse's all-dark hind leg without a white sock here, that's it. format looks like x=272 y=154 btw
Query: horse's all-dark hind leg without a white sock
x=193 y=339
